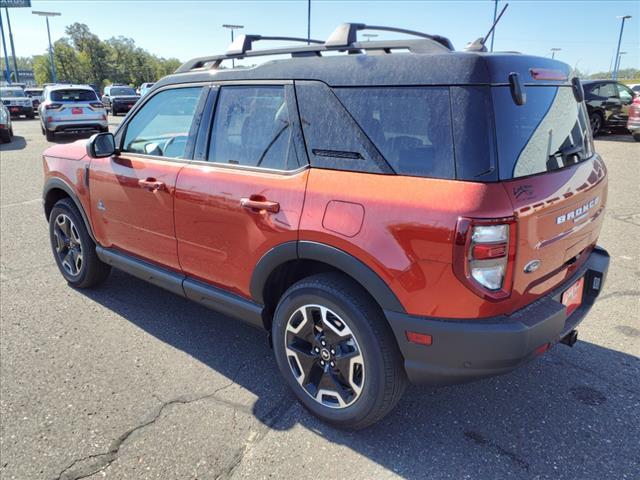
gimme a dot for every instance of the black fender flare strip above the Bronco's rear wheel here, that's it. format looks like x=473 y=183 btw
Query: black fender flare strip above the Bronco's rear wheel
x=339 y=259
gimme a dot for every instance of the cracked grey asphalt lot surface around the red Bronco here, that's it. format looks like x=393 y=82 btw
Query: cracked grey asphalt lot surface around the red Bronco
x=130 y=382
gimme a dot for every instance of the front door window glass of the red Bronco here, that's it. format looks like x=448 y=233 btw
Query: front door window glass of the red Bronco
x=161 y=127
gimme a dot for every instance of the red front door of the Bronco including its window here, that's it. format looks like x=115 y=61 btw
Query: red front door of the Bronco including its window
x=132 y=193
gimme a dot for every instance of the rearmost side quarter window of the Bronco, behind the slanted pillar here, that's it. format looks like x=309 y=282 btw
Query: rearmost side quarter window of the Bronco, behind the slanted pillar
x=411 y=127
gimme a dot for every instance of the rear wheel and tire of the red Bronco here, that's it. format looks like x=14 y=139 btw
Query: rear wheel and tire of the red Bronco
x=375 y=378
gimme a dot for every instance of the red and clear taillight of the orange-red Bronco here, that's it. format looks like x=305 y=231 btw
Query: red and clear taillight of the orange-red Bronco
x=484 y=254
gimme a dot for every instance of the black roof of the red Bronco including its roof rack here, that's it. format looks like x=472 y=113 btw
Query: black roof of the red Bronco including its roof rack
x=342 y=61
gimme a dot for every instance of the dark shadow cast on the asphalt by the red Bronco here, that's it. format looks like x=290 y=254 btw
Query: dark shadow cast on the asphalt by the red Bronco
x=570 y=414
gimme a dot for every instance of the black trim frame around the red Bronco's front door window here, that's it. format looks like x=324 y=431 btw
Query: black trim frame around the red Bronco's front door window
x=121 y=132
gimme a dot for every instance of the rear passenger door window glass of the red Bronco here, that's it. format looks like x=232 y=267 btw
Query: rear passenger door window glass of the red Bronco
x=251 y=127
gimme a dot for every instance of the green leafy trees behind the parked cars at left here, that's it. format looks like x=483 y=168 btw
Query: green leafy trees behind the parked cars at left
x=82 y=57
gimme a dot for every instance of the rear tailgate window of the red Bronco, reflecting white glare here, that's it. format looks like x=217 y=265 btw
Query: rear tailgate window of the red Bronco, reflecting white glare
x=550 y=131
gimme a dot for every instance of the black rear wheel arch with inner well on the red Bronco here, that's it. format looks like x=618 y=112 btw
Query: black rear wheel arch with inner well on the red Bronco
x=289 y=262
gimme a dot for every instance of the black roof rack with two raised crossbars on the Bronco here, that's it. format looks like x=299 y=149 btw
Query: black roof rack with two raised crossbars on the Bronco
x=343 y=38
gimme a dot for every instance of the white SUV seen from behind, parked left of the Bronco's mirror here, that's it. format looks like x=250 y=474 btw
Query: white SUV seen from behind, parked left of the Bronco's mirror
x=71 y=108
